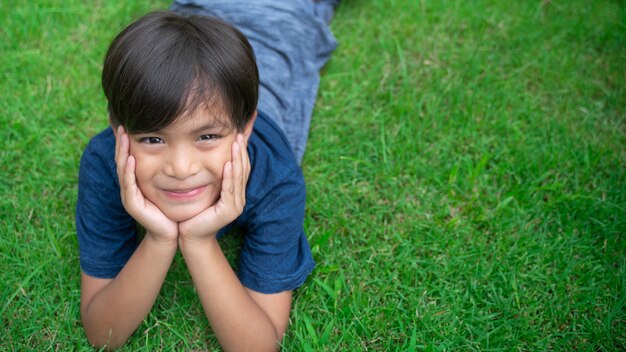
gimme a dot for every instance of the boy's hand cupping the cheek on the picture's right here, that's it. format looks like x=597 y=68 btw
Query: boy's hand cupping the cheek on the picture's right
x=232 y=198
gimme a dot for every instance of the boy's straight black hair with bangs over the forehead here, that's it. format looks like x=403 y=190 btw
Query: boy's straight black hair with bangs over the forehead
x=166 y=65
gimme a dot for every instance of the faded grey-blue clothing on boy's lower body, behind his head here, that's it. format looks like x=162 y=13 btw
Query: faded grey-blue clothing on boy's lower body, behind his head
x=292 y=41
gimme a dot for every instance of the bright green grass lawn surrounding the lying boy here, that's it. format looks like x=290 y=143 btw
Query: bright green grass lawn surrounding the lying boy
x=466 y=175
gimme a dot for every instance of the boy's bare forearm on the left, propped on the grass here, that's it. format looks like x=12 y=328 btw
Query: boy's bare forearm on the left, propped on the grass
x=116 y=311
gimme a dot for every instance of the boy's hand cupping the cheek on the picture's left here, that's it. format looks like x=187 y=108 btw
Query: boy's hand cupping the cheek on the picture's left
x=141 y=209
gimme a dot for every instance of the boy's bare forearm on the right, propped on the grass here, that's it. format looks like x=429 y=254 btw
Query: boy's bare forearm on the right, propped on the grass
x=238 y=322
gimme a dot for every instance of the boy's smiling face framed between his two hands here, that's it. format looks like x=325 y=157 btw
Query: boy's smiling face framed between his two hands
x=179 y=168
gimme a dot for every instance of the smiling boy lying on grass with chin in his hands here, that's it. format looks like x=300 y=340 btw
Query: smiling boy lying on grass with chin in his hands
x=188 y=156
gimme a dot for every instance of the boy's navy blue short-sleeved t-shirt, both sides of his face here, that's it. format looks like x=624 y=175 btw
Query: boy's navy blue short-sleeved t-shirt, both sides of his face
x=275 y=254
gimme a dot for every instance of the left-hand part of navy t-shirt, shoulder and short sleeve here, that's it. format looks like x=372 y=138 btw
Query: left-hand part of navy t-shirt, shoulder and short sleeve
x=107 y=235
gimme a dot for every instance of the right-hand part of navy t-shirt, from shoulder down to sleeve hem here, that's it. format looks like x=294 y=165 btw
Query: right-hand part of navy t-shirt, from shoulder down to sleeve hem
x=275 y=254
